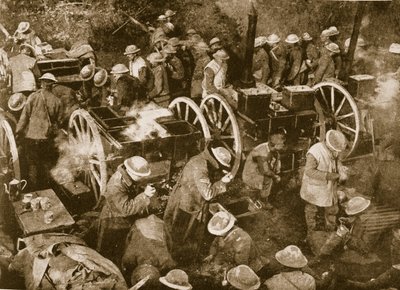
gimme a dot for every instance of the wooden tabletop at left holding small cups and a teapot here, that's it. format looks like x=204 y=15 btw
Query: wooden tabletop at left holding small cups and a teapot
x=32 y=222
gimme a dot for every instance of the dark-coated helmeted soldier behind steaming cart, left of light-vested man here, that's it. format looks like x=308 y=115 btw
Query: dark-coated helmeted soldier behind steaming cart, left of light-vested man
x=125 y=88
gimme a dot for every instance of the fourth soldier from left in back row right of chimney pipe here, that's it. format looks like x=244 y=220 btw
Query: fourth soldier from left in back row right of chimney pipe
x=310 y=56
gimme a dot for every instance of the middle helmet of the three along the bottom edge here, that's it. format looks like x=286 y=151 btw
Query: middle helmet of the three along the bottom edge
x=243 y=277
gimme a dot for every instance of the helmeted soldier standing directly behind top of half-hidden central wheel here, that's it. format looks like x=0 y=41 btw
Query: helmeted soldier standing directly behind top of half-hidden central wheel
x=175 y=70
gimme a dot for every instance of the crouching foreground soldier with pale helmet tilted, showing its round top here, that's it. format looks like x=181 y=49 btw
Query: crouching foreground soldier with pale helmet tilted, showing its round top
x=232 y=246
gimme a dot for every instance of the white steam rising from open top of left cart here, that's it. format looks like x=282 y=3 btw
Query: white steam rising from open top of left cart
x=146 y=126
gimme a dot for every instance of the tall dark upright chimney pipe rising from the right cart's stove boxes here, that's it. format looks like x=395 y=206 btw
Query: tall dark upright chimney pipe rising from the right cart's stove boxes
x=247 y=80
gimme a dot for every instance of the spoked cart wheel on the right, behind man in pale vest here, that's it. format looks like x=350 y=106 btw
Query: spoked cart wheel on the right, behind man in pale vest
x=337 y=109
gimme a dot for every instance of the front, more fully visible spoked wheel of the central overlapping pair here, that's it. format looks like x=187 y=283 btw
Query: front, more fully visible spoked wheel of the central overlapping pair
x=223 y=127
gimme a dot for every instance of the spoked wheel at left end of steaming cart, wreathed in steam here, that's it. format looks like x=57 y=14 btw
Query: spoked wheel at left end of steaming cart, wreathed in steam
x=83 y=133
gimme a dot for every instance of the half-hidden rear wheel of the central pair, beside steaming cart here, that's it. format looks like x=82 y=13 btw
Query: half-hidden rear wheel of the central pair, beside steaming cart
x=186 y=109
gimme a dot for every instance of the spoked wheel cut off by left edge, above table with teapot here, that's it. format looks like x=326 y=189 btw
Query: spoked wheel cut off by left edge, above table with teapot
x=8 y=151
